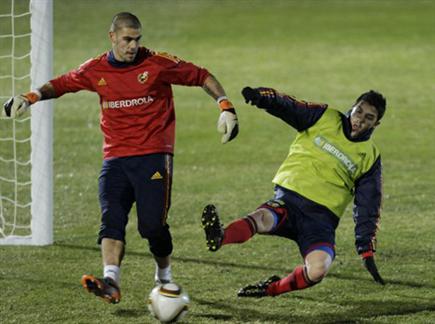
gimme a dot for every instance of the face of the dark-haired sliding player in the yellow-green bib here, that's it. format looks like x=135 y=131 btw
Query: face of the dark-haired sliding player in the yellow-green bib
x=362 y=118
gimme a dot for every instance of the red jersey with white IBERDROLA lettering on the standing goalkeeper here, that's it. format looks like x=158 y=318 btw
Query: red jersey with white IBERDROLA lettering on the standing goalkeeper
x=137 y=109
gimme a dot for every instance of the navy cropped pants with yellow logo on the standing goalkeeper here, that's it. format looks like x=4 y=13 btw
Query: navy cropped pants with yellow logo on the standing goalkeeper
x=146 y=180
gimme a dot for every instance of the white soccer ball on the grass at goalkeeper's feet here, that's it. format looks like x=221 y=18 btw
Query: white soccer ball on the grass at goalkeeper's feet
x=168 y=302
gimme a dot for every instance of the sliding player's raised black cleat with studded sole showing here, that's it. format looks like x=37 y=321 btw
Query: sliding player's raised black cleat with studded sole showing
x=214 y=232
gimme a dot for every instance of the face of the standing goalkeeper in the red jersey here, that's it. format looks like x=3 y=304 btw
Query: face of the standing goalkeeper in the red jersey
x=125 y=43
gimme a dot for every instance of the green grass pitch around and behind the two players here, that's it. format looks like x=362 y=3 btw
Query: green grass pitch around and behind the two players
x=326 y=51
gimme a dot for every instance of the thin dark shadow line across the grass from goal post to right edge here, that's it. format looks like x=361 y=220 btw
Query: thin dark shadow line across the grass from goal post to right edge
x=248 y=266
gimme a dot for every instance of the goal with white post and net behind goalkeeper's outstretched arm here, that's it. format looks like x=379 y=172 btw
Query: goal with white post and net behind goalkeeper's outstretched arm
x=26 y=143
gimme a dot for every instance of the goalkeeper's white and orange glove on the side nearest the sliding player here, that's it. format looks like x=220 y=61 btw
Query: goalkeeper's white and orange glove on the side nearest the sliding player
x=227 y=123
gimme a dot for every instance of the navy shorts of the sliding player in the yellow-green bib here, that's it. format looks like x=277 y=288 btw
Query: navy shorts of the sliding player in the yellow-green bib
x=311 y=225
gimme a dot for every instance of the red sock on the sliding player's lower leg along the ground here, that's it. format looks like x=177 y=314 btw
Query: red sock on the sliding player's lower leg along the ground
x=297 y=280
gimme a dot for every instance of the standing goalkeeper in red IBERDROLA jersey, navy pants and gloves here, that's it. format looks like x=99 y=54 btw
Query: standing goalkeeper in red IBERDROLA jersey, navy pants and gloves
x=138 y=124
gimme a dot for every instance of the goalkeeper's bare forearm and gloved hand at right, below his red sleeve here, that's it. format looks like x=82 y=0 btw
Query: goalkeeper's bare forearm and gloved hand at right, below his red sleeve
x=227 y=124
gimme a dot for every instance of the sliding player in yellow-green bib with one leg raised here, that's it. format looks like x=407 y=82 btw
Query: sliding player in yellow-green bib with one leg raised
x=331 y=161
